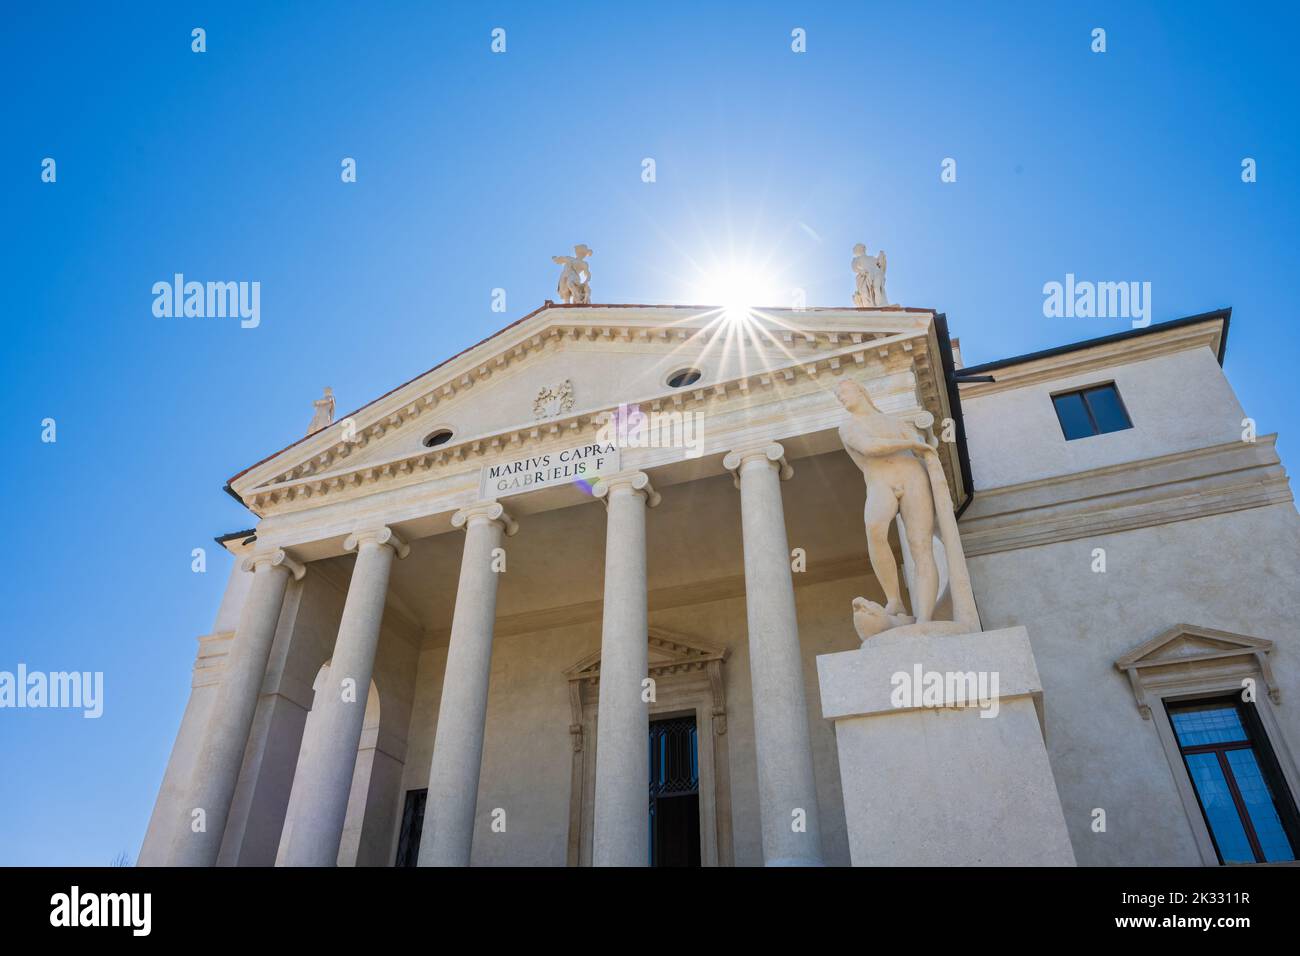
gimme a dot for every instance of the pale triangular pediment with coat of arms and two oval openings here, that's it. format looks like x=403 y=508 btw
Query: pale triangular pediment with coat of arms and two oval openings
x=560 y=371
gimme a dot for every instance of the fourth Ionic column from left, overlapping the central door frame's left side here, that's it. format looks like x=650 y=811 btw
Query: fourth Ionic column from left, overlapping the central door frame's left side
x=622 y=834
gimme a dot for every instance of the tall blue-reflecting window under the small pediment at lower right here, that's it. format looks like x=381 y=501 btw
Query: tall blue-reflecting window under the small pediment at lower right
x=1250 y=814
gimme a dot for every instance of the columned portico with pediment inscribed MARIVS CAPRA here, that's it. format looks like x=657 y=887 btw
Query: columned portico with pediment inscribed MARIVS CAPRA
x=467 y=609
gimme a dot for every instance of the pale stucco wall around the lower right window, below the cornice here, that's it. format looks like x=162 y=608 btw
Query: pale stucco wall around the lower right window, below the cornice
x=1237 y=573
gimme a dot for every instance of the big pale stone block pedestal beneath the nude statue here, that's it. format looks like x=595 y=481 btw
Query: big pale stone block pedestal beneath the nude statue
x=942 y=754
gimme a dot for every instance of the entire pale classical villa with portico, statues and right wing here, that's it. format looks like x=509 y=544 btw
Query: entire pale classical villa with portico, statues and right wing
x=600 y=590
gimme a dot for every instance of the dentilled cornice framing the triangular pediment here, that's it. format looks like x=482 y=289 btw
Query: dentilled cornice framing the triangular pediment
x=320 y=468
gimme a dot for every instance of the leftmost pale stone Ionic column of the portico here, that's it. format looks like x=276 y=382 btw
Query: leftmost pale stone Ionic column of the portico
x=216 y=772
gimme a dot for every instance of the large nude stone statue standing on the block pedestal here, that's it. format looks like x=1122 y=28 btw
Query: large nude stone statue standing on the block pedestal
x=891 y=455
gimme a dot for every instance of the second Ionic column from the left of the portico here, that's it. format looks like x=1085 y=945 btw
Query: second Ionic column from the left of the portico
x=326 y=782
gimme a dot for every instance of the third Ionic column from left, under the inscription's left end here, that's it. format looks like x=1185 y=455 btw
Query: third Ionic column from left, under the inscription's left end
x=458 y=747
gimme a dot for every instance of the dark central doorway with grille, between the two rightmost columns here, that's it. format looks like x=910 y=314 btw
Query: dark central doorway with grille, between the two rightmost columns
x=674 y=793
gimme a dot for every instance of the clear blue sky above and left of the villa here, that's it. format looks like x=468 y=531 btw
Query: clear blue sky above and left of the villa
x=473 y=171
